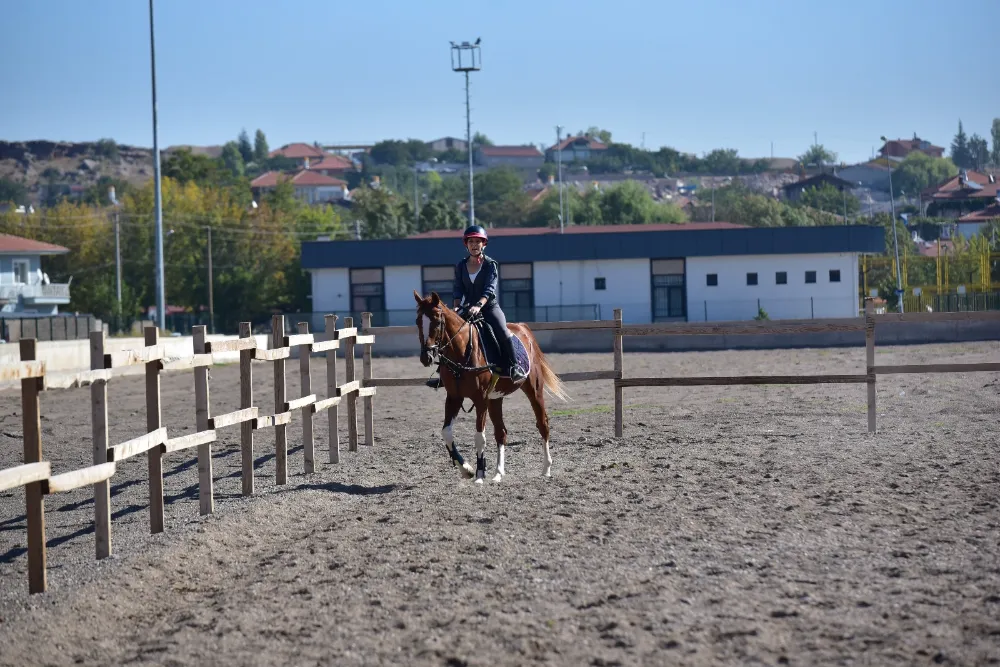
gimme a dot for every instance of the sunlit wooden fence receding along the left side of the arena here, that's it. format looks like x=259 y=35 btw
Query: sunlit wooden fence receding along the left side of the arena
x=36 y=474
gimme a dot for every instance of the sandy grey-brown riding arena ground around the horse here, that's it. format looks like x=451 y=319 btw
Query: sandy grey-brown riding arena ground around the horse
x=731 y=525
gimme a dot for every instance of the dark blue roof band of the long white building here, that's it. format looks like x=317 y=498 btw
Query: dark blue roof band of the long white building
x=679 y=241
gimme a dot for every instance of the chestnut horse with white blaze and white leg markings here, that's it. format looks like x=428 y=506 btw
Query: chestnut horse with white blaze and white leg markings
x=446 y=338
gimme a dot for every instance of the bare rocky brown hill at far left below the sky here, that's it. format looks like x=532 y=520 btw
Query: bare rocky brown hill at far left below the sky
x=72 y=167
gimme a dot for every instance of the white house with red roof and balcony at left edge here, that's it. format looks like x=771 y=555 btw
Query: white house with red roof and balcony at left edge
x=24 y=287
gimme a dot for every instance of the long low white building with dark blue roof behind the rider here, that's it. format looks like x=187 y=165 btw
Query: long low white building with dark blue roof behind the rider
x=655 y=273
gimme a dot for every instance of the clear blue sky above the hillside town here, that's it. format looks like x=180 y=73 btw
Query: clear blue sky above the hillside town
x=694 y=75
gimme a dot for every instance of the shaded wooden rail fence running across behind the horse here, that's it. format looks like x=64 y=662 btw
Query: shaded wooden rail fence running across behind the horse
x=783 y=327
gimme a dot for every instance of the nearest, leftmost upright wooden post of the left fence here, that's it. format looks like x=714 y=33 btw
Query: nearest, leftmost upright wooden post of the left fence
x=34 y=499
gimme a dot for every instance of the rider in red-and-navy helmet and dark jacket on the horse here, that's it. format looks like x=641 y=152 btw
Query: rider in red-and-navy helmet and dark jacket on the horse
x=477 y=279
